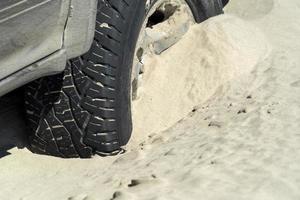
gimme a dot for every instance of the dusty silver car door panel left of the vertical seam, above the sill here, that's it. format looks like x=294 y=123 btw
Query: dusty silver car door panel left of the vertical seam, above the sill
x=29 y=31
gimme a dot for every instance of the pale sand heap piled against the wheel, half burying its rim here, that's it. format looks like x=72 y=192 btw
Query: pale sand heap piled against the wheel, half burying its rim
x=210 y=55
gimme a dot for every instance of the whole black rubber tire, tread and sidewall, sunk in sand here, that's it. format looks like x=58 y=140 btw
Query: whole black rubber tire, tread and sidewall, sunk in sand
x=86 y=109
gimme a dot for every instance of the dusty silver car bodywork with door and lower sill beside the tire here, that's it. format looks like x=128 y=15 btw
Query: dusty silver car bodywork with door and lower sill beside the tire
x=37 y=37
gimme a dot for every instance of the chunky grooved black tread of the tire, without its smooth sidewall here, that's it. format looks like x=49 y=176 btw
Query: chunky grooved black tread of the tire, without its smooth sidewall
x=73 y=114
